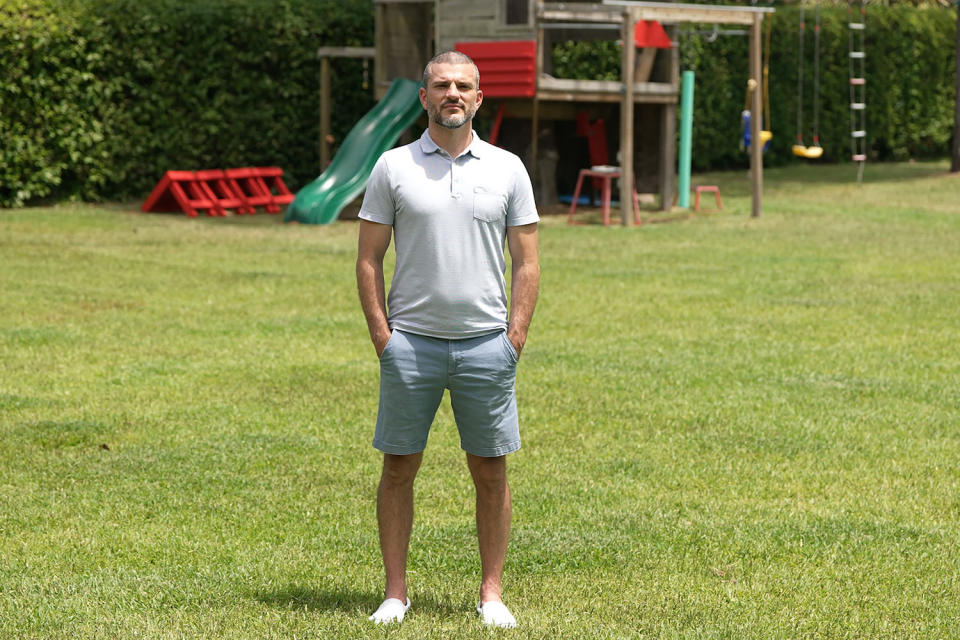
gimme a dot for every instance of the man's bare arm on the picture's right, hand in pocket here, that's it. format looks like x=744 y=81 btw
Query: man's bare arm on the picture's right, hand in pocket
x=525 y=284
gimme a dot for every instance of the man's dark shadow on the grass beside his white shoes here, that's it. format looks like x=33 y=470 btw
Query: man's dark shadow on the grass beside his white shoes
x=312 y=598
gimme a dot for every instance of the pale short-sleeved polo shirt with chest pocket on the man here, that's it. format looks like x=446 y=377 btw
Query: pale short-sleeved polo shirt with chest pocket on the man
x=449 y=218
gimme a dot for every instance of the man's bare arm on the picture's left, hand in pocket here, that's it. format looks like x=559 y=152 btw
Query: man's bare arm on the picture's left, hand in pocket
x=372 y=246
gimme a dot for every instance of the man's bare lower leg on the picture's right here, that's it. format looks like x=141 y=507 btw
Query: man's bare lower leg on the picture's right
x=493 y=521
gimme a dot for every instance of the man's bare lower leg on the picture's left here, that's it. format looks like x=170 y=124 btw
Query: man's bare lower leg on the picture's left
x=395 y=518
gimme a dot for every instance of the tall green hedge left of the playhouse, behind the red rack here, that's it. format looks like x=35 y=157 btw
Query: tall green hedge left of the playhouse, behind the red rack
x=99 y=97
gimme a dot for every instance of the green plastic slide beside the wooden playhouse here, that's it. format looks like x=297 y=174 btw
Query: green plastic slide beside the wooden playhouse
x=321 y=201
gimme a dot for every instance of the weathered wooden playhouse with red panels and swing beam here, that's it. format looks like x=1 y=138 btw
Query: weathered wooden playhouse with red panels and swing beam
x=517 y=79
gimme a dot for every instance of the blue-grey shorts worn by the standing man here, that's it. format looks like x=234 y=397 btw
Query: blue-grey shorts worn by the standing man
x=480 y=374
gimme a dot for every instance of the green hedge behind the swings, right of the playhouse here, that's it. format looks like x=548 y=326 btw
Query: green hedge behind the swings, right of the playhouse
x=910 y=84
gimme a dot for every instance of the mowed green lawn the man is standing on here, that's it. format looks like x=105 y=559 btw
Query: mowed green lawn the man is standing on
x=733 y=427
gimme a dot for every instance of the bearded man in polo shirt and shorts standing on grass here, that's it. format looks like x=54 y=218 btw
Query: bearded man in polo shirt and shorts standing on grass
x=450 y=200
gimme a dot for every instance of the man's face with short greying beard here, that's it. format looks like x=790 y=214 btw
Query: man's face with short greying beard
x=451 y=97
